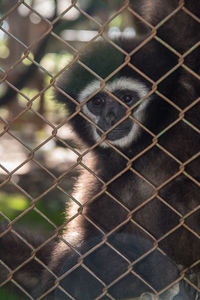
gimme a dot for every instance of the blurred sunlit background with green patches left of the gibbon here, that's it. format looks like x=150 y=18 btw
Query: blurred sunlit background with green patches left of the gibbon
x=38 y=166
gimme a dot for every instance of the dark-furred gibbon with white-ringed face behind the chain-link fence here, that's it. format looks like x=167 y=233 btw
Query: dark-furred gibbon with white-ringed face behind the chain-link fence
x=129 y=232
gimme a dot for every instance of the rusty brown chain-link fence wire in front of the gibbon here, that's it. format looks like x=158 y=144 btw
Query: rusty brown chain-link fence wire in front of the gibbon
x=80 y=156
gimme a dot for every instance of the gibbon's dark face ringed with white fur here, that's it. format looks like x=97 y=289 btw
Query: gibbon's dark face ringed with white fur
x=106 y=111
